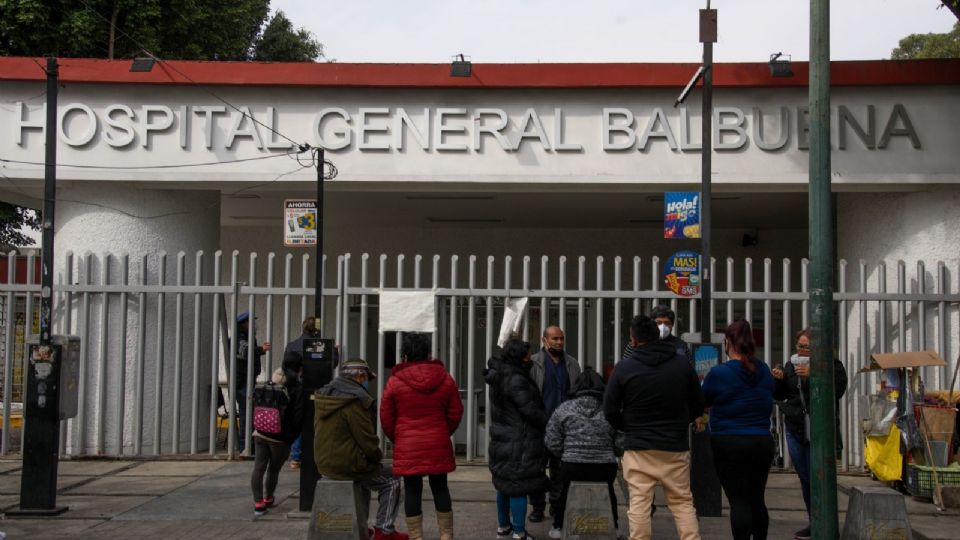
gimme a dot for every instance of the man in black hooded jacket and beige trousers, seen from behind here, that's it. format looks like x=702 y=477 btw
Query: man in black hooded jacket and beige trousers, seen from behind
x=653 y=396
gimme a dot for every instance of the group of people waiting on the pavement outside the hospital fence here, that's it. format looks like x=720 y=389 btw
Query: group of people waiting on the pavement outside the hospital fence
x=552 y=422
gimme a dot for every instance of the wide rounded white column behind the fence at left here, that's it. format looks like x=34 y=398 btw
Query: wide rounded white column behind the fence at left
x=104 y=221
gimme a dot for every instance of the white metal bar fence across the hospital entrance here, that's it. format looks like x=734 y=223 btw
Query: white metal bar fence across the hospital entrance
x=153 y=342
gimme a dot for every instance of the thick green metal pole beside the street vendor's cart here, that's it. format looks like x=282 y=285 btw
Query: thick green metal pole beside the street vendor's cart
x=822 y=402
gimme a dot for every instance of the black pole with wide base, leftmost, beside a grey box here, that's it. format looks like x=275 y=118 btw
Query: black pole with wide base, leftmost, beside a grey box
x=38 y=481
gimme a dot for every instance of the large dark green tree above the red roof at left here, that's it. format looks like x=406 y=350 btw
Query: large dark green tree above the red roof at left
x=170 y=29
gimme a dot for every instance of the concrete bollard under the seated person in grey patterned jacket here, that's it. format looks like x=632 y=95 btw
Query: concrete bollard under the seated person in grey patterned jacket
x=587 y=515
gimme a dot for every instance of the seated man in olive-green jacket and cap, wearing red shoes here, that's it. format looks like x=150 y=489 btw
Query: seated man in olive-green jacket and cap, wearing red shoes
x=346 y=446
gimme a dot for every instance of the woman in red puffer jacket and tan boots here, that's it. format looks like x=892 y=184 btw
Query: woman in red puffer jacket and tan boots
x=420 y=410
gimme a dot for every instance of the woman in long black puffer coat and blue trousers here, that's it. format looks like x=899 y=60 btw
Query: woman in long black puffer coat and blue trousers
x=517 y=421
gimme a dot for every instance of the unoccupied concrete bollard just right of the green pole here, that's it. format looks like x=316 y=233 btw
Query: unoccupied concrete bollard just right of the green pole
x=876 y=512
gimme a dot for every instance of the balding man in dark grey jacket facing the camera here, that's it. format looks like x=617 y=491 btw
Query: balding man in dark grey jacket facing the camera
x=554 y=371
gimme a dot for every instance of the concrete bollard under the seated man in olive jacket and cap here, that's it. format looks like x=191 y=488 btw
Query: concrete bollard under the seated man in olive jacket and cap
x=340 y=511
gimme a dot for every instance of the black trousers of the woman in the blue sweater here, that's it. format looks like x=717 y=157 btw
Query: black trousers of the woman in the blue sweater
x=743 y=463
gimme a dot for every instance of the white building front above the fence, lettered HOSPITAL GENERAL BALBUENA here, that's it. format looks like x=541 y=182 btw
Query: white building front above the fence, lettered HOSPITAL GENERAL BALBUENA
x=506 y=170
